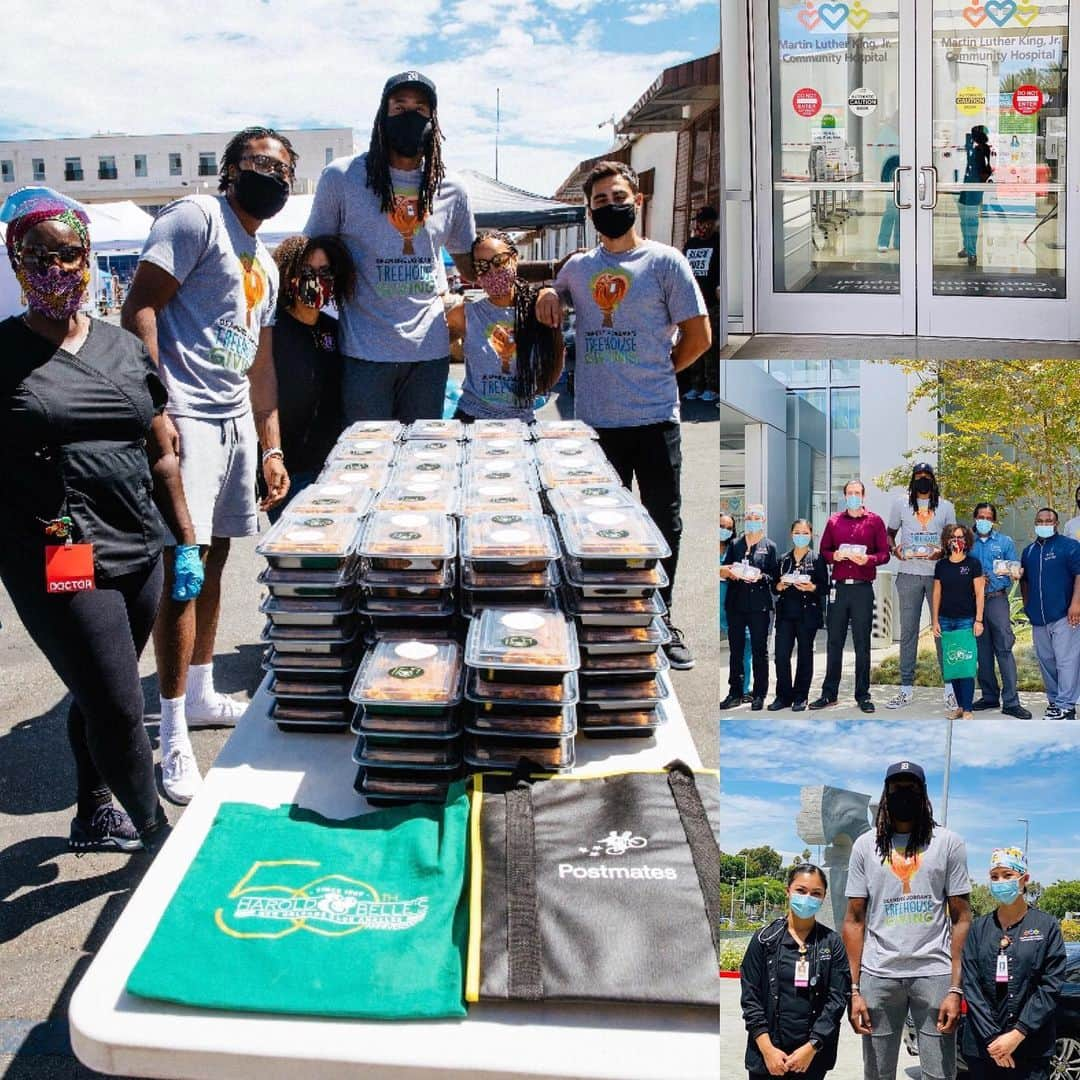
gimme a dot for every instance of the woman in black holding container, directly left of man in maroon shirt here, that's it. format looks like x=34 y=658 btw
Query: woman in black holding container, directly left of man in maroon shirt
x=801 y=613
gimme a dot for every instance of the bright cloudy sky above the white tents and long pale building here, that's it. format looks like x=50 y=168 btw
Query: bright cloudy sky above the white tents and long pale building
x=564 y=67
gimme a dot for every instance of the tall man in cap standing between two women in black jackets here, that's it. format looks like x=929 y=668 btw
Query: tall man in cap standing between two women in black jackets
x=904 y=931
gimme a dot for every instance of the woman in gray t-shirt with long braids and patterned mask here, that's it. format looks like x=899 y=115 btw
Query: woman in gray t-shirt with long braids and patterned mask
x=510 y=356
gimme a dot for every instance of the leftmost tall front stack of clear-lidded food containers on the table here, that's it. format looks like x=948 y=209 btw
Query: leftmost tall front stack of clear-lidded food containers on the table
x=314 y=628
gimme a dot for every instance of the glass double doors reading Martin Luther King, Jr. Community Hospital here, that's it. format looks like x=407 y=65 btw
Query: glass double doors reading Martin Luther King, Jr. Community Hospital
x=913 y=168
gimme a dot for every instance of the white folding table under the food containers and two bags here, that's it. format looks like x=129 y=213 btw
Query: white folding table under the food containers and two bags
x=119 y=1034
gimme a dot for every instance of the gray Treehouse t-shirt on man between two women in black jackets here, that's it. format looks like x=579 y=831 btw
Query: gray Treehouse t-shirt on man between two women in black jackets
x=909 y=930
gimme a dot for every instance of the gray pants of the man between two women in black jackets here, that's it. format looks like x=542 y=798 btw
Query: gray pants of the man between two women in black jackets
x=889 y=1002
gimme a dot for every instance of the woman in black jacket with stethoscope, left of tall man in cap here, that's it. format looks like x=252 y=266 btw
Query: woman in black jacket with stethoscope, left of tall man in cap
x=795 y=987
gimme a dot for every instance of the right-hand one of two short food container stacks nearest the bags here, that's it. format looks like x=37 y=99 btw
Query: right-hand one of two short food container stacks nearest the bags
x=521 y=690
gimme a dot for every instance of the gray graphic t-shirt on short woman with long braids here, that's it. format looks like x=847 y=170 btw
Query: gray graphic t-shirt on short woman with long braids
x=491 y=363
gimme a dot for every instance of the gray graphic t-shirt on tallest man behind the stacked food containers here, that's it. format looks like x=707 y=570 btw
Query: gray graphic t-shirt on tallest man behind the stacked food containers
x=397 y=315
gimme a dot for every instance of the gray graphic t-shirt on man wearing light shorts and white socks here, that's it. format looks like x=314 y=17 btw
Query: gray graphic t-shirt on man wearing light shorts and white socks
x=209 y=332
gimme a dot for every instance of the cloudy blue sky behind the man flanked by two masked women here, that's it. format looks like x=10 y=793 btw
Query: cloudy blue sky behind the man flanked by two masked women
x=1002 y=772
